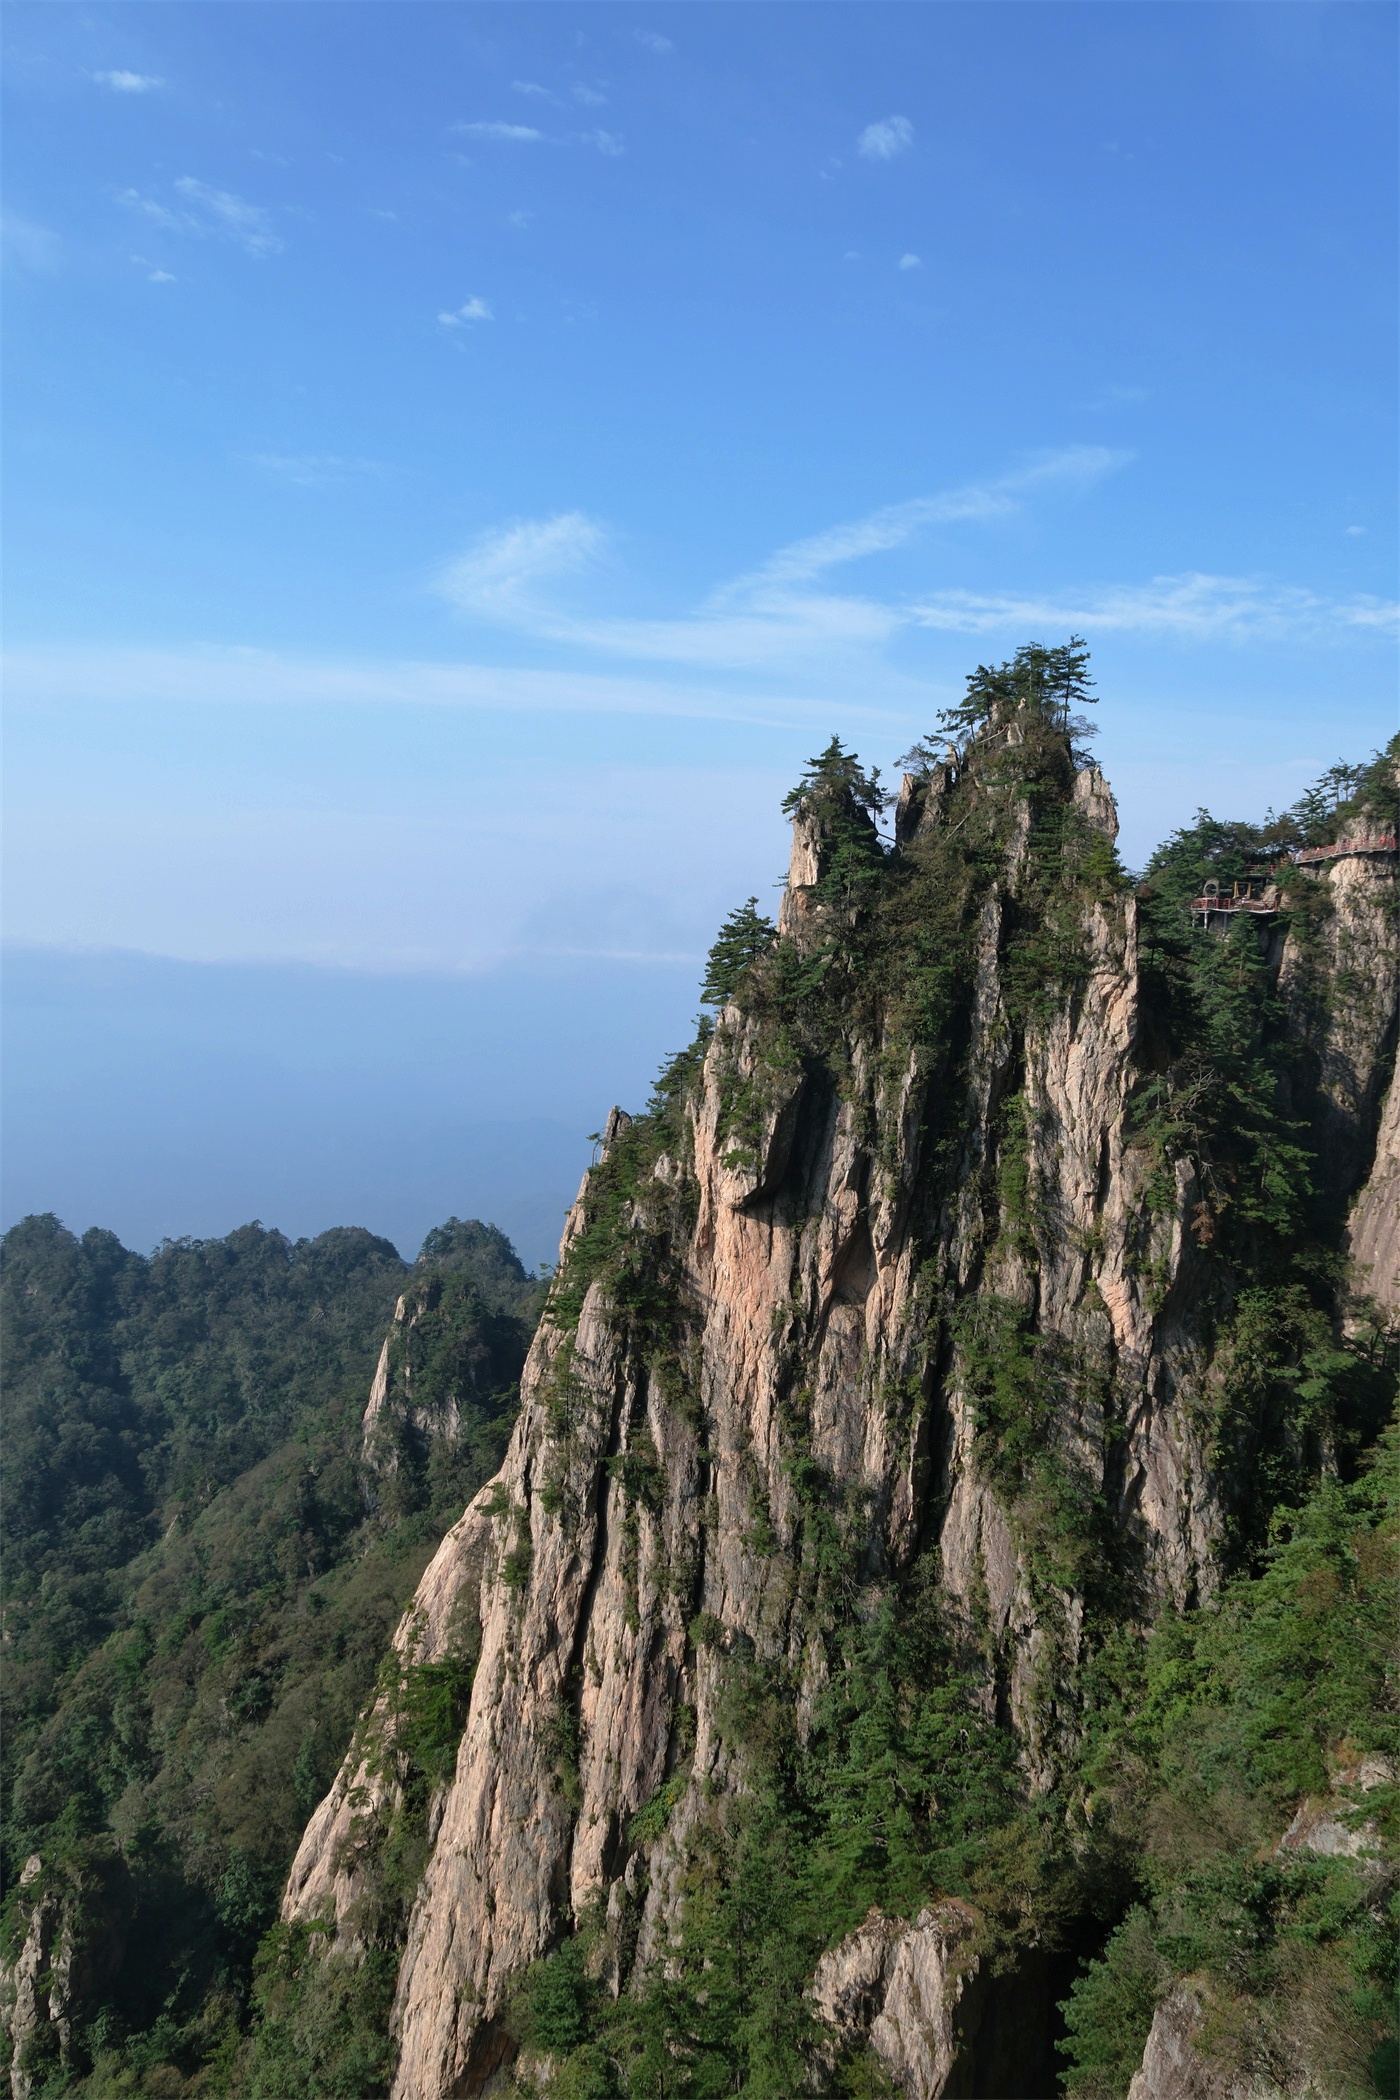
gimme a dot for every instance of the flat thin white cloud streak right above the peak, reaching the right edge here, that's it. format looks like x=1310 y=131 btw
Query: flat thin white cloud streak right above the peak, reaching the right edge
x=1183 y=608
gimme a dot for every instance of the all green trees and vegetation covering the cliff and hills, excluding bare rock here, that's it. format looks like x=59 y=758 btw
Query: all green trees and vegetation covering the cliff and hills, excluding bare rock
x=211 y=1566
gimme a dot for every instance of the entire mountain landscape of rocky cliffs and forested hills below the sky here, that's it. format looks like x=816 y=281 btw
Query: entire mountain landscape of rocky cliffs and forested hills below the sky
x=922 y=1616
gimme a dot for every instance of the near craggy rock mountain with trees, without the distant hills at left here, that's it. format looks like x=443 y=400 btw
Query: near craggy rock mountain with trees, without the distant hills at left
x=943 y=1572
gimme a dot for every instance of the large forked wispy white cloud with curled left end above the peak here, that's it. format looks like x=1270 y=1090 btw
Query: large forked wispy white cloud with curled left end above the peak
x=782 y=616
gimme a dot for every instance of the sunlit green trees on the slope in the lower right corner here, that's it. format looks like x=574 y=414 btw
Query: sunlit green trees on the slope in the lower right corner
x=1202 y=1748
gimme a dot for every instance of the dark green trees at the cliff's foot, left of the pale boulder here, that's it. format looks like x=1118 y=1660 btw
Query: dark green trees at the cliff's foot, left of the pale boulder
x=901 y=1788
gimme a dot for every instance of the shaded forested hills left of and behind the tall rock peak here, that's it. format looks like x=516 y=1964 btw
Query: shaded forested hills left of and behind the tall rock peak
x=200 y=1587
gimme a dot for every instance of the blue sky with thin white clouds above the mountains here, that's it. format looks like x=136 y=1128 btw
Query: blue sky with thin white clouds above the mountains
x=463 y=459
